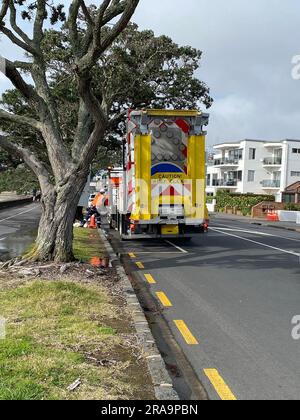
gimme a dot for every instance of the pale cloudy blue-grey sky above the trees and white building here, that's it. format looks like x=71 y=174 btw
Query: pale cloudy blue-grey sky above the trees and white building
x=248 y=47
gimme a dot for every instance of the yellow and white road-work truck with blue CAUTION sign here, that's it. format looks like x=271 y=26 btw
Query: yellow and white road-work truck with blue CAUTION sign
x=159 y=192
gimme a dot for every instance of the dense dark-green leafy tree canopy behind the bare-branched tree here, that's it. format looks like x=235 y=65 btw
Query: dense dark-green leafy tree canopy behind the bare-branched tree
x=138 y=70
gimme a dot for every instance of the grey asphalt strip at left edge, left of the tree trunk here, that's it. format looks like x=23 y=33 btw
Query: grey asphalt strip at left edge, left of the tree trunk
x=18 y=229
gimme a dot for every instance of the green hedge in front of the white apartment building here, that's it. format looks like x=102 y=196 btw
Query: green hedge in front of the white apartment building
x=242 y=202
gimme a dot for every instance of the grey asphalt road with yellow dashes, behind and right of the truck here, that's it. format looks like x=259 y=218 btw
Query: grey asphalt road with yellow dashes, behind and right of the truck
x=229 y=298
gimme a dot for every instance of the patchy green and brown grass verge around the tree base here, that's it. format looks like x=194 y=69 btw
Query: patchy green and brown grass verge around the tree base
x=65 y=329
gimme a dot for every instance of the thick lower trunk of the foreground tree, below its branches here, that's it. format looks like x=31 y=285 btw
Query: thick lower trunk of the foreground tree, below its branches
x=55 y=235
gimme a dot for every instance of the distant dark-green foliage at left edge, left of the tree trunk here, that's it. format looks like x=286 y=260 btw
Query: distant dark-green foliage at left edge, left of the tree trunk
x=21 y=180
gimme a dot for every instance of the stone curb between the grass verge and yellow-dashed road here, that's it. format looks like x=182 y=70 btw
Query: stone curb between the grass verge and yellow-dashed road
x=163 y=385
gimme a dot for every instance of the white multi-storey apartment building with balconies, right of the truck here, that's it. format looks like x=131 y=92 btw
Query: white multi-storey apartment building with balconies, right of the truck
x=254 y=166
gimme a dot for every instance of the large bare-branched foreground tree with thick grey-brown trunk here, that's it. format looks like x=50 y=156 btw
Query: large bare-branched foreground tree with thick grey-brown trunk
x=63 y=175
